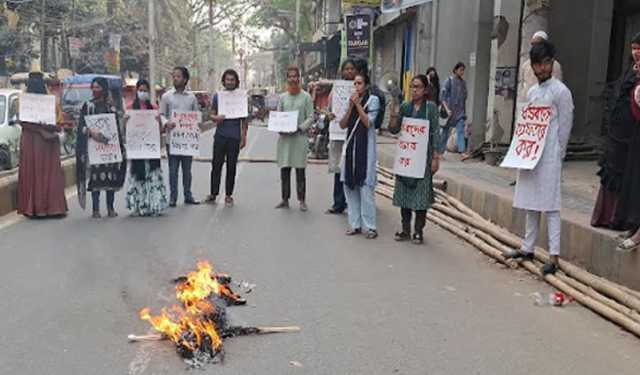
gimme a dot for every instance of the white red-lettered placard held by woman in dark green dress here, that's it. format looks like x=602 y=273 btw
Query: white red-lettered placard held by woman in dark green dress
x=411 y=148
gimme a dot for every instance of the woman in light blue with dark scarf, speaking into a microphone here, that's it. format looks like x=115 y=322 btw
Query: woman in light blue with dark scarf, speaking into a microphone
x=359 y=169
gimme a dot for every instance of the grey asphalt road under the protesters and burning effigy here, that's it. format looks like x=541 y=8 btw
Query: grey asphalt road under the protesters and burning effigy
x=71 y=290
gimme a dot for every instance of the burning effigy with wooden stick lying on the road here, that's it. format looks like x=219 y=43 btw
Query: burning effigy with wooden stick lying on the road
x=198 y=324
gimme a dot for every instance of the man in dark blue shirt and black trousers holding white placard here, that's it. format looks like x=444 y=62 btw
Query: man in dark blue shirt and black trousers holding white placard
x=230 y=138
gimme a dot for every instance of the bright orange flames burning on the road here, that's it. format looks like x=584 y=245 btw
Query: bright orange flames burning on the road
x=189 y=325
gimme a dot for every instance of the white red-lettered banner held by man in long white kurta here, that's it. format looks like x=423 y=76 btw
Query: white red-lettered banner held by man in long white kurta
x=529 y=136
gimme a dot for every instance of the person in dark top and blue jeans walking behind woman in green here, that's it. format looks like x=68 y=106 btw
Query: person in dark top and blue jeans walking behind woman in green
x=454 y=97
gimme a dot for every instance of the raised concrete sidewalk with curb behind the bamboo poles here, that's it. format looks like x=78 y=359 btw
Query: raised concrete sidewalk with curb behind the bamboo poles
x=486 y=190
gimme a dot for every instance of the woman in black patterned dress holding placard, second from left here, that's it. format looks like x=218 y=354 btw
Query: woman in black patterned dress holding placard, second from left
x=102 y=177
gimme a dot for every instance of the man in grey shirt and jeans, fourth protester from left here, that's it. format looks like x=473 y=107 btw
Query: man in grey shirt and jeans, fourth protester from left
x=178 y=99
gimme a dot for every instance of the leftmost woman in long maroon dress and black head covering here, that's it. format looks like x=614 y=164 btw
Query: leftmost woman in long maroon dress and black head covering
x=40 y=177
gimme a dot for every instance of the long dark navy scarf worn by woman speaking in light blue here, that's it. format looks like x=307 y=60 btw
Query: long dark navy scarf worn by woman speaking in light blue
x=356 y=158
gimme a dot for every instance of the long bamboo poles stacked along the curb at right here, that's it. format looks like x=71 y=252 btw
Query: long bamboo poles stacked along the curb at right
x=615 y=302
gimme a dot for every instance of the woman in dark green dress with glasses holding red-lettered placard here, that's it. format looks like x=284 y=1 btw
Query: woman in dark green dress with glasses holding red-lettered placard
x=416 y=194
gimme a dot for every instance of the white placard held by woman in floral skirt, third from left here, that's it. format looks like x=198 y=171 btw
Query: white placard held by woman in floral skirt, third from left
x=143 y=135
